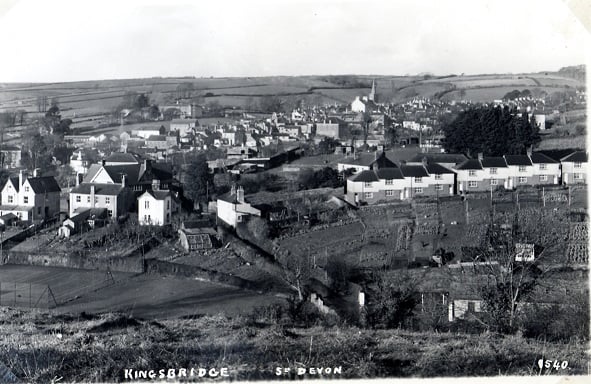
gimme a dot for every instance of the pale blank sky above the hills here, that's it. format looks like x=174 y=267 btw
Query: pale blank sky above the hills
x=63 y=40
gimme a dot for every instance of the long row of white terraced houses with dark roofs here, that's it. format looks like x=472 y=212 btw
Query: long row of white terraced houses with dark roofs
x=383 y=180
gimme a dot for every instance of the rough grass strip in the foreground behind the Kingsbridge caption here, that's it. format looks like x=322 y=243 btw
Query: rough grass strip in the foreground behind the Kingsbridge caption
x=37 y=347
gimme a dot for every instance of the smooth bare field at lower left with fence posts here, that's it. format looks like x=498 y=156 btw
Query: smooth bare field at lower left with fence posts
x=146 y=296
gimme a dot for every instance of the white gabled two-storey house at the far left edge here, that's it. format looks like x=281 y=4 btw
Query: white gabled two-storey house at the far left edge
x=31 y=199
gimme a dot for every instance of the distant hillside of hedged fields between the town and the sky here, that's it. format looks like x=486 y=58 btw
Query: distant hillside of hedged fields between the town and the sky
x=99 y=97
